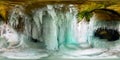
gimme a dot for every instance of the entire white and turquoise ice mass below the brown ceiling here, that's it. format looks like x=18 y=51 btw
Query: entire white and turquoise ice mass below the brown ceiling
x=53 y=28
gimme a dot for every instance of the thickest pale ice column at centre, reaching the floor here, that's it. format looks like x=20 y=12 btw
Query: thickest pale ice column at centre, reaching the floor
x=50 y=30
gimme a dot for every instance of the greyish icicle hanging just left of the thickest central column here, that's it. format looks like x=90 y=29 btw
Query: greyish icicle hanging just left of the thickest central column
x=37 y=24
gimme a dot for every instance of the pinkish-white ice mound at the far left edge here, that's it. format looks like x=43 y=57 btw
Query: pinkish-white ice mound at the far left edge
x=9 y=35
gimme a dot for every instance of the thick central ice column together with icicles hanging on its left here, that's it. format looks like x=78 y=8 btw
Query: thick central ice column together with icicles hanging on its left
x=46 y=24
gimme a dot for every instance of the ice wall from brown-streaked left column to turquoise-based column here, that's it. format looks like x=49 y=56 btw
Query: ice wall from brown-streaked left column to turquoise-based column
x=53 y=25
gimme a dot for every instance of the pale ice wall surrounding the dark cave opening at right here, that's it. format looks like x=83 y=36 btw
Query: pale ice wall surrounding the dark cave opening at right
x=95 y=24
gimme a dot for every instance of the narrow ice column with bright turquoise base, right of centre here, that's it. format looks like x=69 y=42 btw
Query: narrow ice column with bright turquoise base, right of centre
x=69 y=38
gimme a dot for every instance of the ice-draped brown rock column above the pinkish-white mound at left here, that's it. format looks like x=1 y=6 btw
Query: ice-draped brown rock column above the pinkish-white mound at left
x=21 y=23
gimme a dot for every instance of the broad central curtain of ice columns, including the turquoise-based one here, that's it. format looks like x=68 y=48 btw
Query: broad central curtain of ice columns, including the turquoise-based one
x=57 y=25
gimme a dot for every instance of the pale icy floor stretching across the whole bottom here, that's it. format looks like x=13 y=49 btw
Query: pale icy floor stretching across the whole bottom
x=34 y=54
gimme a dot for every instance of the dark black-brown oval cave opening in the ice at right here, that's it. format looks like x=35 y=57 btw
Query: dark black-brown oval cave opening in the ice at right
x=109 y=34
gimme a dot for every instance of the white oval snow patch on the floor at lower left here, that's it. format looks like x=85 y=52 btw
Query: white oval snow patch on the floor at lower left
x=26 y=54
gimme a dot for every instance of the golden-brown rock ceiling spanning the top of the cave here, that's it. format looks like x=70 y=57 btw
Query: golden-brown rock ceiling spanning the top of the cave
x=82 y=5
